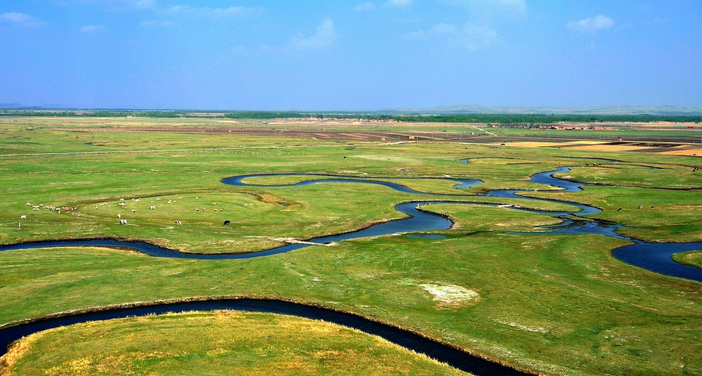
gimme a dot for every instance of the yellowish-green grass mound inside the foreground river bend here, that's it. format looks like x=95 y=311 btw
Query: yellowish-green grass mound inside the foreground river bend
x=216 y=343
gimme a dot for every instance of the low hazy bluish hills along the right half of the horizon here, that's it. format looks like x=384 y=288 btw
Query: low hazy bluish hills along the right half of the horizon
x=613 y=110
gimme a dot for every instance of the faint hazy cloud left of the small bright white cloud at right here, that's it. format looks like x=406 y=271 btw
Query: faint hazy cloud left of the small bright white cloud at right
x=471 y=37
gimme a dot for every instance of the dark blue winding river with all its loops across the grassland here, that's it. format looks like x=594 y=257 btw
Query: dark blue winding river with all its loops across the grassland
x=655 y=257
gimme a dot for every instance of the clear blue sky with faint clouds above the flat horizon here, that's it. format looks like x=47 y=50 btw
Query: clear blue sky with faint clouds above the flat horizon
x=351 y=55
